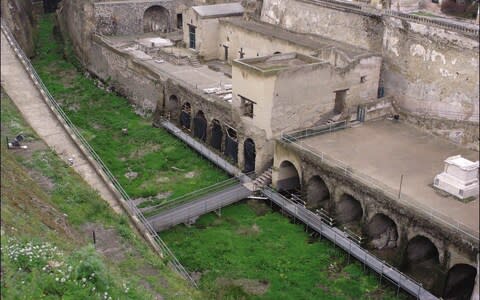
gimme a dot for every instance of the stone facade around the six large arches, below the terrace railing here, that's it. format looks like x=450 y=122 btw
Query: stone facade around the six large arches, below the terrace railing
x=373 y=200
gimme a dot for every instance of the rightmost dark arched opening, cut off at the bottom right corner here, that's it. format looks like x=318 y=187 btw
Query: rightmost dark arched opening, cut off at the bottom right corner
x=460 y=282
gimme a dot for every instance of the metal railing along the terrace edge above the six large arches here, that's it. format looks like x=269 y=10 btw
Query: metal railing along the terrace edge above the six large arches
x=384 y=189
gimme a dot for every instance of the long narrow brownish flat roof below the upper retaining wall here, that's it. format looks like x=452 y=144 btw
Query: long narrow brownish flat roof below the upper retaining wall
x=314 y=42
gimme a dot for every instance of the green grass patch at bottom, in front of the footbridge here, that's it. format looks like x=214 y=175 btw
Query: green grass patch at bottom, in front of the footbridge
x=252 y=252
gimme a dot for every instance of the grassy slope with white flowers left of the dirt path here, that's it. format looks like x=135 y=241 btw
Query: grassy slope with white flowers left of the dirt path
x=57 y=213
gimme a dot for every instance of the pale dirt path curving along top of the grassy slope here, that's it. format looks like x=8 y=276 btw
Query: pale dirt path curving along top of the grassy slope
x=28 y=99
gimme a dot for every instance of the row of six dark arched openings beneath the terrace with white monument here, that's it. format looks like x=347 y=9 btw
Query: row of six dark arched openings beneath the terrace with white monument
x=421 y=257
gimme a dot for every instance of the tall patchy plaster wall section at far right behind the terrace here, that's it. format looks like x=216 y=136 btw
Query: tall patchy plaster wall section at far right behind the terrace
x=430 y=69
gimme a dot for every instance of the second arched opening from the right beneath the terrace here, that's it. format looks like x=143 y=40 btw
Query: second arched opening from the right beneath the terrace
x=421 y=261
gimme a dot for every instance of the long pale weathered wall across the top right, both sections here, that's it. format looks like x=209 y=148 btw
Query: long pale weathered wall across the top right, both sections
x=427 y=69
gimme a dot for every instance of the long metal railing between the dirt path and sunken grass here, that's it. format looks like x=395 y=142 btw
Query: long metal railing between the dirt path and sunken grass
x=77 y=137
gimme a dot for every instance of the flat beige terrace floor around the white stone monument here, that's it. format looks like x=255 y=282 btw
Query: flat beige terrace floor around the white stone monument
x=384 y=150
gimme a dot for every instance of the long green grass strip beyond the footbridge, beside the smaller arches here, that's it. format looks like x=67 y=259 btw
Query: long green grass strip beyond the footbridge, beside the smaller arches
x=160 y=165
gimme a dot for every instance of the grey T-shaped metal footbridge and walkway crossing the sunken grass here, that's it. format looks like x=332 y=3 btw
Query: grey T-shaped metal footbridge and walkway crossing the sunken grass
x=246 y=186
